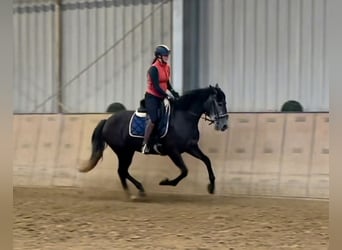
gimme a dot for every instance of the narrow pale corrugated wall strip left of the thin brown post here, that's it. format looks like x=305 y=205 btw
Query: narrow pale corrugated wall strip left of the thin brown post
x=34 y=56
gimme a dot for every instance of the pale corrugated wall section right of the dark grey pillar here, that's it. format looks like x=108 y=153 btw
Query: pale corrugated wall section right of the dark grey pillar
x=264 y=52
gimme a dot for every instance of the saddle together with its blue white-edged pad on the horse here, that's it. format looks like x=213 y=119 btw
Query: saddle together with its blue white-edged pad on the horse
x=139 y=120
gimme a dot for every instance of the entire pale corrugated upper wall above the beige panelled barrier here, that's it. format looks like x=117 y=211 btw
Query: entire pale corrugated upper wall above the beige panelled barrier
x=262 y=52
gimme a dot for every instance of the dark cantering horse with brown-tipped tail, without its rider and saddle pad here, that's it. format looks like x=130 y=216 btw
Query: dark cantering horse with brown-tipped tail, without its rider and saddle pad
x=182 y=135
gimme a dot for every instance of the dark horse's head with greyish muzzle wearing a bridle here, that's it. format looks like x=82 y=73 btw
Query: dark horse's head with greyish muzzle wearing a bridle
x=215 y=107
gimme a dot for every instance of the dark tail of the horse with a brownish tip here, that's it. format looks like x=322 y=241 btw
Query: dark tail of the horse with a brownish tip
x=98 y=146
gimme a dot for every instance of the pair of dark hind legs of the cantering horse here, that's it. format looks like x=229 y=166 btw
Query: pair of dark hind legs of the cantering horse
x=125 y=160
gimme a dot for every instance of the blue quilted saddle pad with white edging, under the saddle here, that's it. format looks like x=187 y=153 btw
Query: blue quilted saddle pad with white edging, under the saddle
x=138 y=122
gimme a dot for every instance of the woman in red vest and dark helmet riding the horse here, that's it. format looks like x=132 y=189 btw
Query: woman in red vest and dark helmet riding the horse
x=158 y=88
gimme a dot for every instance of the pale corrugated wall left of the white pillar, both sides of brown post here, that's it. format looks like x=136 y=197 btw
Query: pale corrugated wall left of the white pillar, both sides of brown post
x=107 y=47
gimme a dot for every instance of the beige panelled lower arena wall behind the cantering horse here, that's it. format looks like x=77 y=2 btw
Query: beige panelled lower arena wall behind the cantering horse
x=267 y=154
